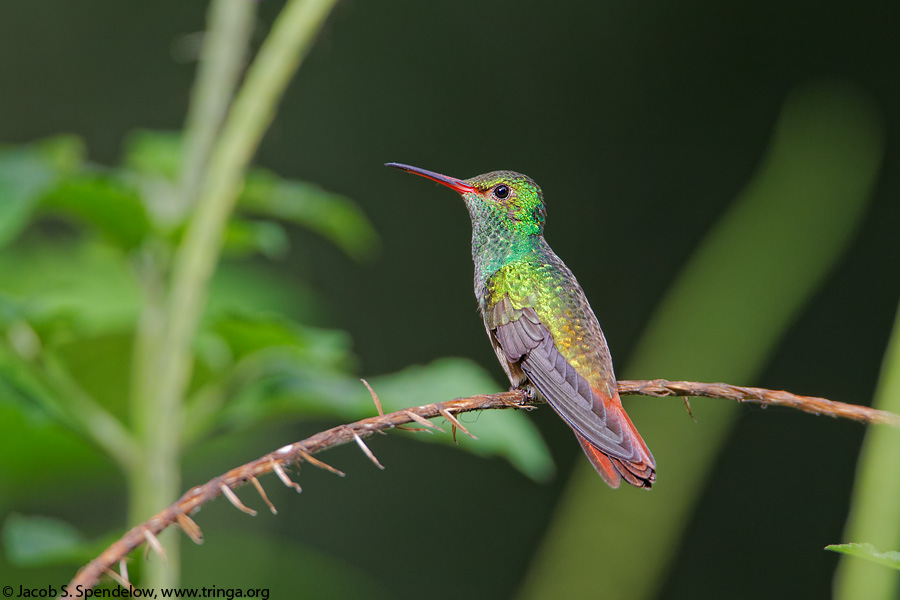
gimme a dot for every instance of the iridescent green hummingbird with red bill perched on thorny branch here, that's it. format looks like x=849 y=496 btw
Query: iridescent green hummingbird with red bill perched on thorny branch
x=540 y=323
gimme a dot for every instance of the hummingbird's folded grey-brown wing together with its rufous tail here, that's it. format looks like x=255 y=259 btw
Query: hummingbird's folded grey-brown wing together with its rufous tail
x=595 y=413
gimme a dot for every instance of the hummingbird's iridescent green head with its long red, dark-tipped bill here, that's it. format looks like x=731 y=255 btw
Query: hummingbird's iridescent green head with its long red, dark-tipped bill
x=502 y=198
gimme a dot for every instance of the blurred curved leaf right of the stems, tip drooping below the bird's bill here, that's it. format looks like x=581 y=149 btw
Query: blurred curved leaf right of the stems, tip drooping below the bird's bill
x=331 y=215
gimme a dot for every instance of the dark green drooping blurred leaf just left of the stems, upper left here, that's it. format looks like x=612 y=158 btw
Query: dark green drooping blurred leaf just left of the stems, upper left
x=114 y=208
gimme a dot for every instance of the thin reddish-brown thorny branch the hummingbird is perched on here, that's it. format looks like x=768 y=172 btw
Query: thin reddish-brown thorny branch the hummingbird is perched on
x=302 y=451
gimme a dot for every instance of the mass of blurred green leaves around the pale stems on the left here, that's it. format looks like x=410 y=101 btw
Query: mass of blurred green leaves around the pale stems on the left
x=70 y=305
